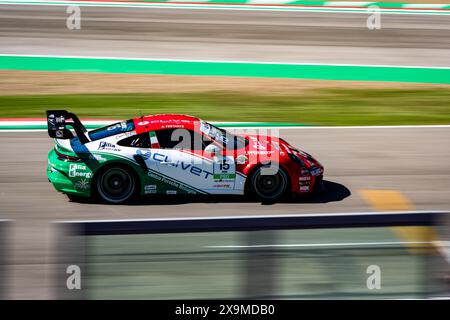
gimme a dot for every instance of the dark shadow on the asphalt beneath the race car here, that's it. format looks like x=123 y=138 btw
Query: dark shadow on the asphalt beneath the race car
x=332 y=192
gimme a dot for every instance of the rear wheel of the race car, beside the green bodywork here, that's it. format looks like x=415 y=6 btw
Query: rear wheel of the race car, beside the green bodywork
x=116 y=184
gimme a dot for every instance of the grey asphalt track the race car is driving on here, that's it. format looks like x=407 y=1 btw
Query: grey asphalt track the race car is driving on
x=413 y=161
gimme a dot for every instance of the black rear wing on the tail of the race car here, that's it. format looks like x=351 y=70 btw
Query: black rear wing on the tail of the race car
x=57 y=125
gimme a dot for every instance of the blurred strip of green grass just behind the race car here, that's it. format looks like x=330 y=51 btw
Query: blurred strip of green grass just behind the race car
x=315 y=107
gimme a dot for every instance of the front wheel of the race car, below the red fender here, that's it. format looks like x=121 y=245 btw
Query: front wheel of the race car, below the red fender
x=269 y=188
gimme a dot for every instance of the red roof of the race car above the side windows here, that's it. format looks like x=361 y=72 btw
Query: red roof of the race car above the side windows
x=165 y=121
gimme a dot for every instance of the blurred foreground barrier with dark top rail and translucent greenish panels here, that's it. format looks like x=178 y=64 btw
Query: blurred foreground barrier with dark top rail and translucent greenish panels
x=343 y=255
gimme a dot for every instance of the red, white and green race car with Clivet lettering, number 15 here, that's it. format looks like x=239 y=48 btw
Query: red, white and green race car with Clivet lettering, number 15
x=173 y=154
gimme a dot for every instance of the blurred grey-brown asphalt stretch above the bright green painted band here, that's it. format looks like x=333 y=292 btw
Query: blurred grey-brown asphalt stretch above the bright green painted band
x=230 y=35
